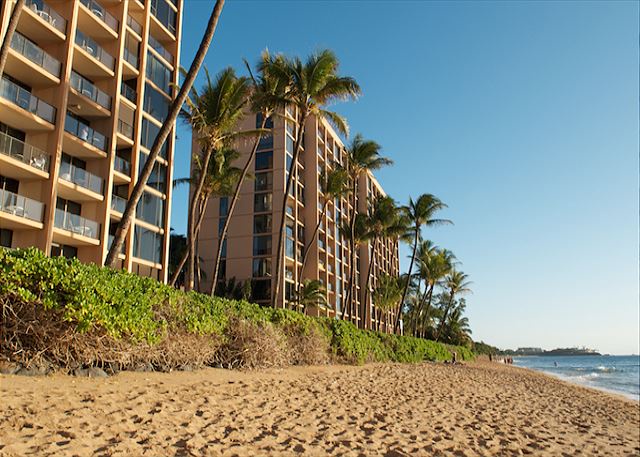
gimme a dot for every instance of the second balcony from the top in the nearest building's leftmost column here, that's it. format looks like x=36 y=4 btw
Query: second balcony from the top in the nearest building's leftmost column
x=35 y=66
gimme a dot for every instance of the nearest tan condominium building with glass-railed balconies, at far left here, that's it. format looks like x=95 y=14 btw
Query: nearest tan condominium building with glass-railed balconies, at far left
x=85 y=89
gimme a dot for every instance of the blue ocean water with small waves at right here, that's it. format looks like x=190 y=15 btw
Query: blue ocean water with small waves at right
x=614 y=373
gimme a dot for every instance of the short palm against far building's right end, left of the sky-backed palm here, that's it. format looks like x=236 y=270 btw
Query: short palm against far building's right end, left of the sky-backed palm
x=383 y=222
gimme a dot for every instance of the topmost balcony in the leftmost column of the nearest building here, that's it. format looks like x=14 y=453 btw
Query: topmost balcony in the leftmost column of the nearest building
x=42 y=22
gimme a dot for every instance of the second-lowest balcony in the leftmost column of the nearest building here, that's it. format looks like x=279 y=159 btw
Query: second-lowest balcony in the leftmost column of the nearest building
x=22 y=161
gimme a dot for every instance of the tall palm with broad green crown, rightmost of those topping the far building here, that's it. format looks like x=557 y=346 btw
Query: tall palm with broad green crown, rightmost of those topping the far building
x=311 y=86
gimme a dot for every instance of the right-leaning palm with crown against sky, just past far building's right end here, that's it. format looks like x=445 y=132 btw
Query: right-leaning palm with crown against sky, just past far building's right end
x=420 y=213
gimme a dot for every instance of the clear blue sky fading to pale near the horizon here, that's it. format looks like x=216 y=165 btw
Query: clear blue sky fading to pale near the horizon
x=521 y=116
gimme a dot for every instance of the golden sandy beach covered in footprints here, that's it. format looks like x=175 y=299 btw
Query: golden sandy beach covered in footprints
x=394 y=410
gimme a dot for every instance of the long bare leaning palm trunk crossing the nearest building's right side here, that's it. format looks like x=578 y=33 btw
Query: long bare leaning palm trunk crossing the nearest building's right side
x=163 y=134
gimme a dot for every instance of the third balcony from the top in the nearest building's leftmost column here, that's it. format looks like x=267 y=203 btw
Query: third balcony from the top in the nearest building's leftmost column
x=24 y=111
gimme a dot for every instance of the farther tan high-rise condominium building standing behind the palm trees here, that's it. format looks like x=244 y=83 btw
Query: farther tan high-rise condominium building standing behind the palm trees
x=251 y=244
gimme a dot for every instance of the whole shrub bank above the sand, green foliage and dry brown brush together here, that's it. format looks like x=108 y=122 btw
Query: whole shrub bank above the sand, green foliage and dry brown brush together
x=63 y=314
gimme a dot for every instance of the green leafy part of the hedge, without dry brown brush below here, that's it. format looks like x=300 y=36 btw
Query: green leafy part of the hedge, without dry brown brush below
x=141 y=309
